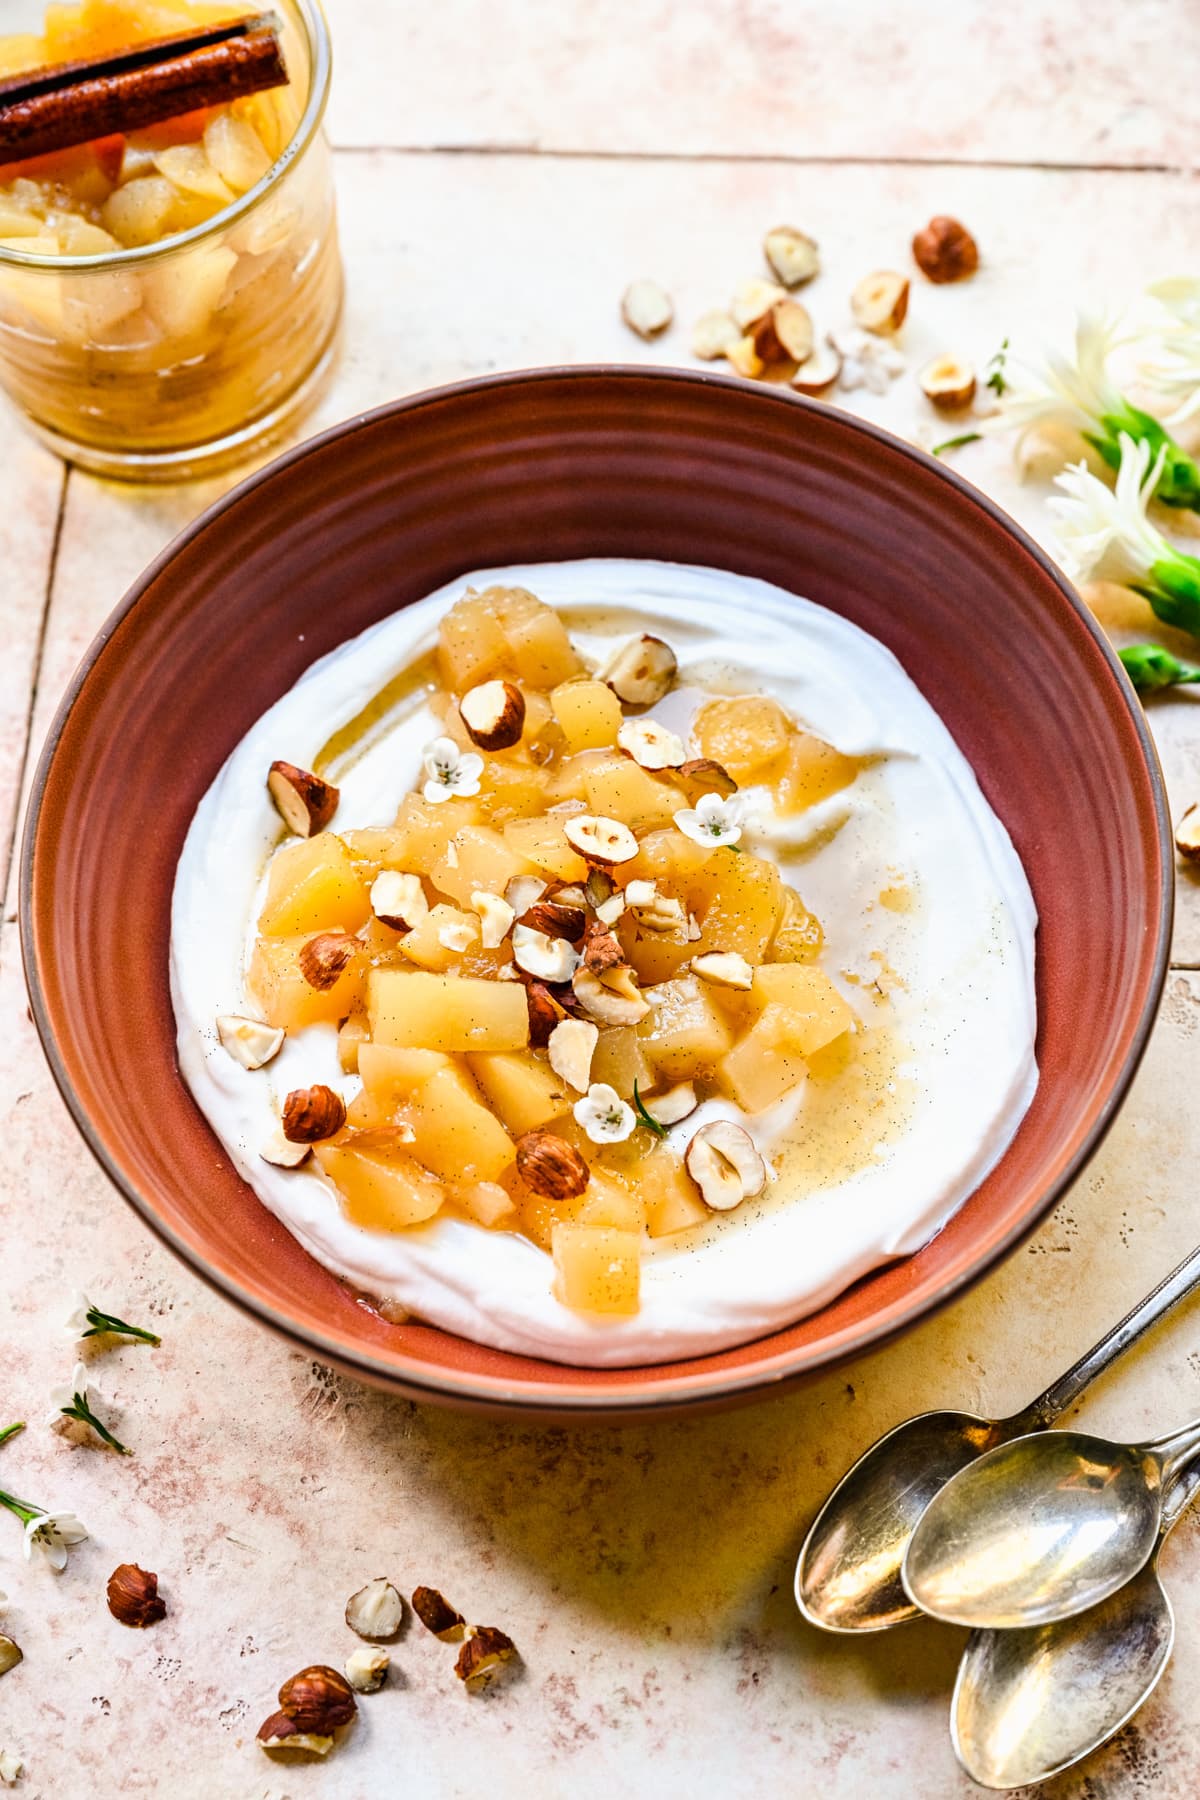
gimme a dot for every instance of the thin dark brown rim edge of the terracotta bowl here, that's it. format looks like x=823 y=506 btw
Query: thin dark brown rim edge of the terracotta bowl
x=692 y=1390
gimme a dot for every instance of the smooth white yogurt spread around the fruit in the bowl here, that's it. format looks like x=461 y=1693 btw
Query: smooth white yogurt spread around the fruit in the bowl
x=963 y=957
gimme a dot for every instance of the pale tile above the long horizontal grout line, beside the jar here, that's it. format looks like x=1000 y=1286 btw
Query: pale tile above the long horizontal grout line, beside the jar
x=1104 y=84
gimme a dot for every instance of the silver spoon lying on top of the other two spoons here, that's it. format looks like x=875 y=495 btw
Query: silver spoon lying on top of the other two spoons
x=1043 y=1529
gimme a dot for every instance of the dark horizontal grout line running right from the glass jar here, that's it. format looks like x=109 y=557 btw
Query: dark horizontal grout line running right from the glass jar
x=798 y=159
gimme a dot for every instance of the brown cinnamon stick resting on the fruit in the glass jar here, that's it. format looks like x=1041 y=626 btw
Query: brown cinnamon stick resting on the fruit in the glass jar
x=73 y=103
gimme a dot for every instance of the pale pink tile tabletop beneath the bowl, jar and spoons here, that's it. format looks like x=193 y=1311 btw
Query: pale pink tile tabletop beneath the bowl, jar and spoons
x=264 y=1488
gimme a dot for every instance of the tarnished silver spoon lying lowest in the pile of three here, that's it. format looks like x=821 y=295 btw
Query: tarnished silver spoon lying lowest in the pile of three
x=1032 y=1704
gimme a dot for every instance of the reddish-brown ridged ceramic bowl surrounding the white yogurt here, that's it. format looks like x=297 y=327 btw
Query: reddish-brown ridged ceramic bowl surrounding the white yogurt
x=542 y=467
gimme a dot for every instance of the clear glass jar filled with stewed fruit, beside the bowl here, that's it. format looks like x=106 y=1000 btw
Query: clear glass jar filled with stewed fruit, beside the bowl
x=181 y=357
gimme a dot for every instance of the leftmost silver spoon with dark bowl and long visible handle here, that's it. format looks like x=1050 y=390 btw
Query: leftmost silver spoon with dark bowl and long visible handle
x=848 y=1572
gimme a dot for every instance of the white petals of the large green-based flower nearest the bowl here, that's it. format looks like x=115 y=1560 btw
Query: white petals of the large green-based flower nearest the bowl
x=1104 y=534
